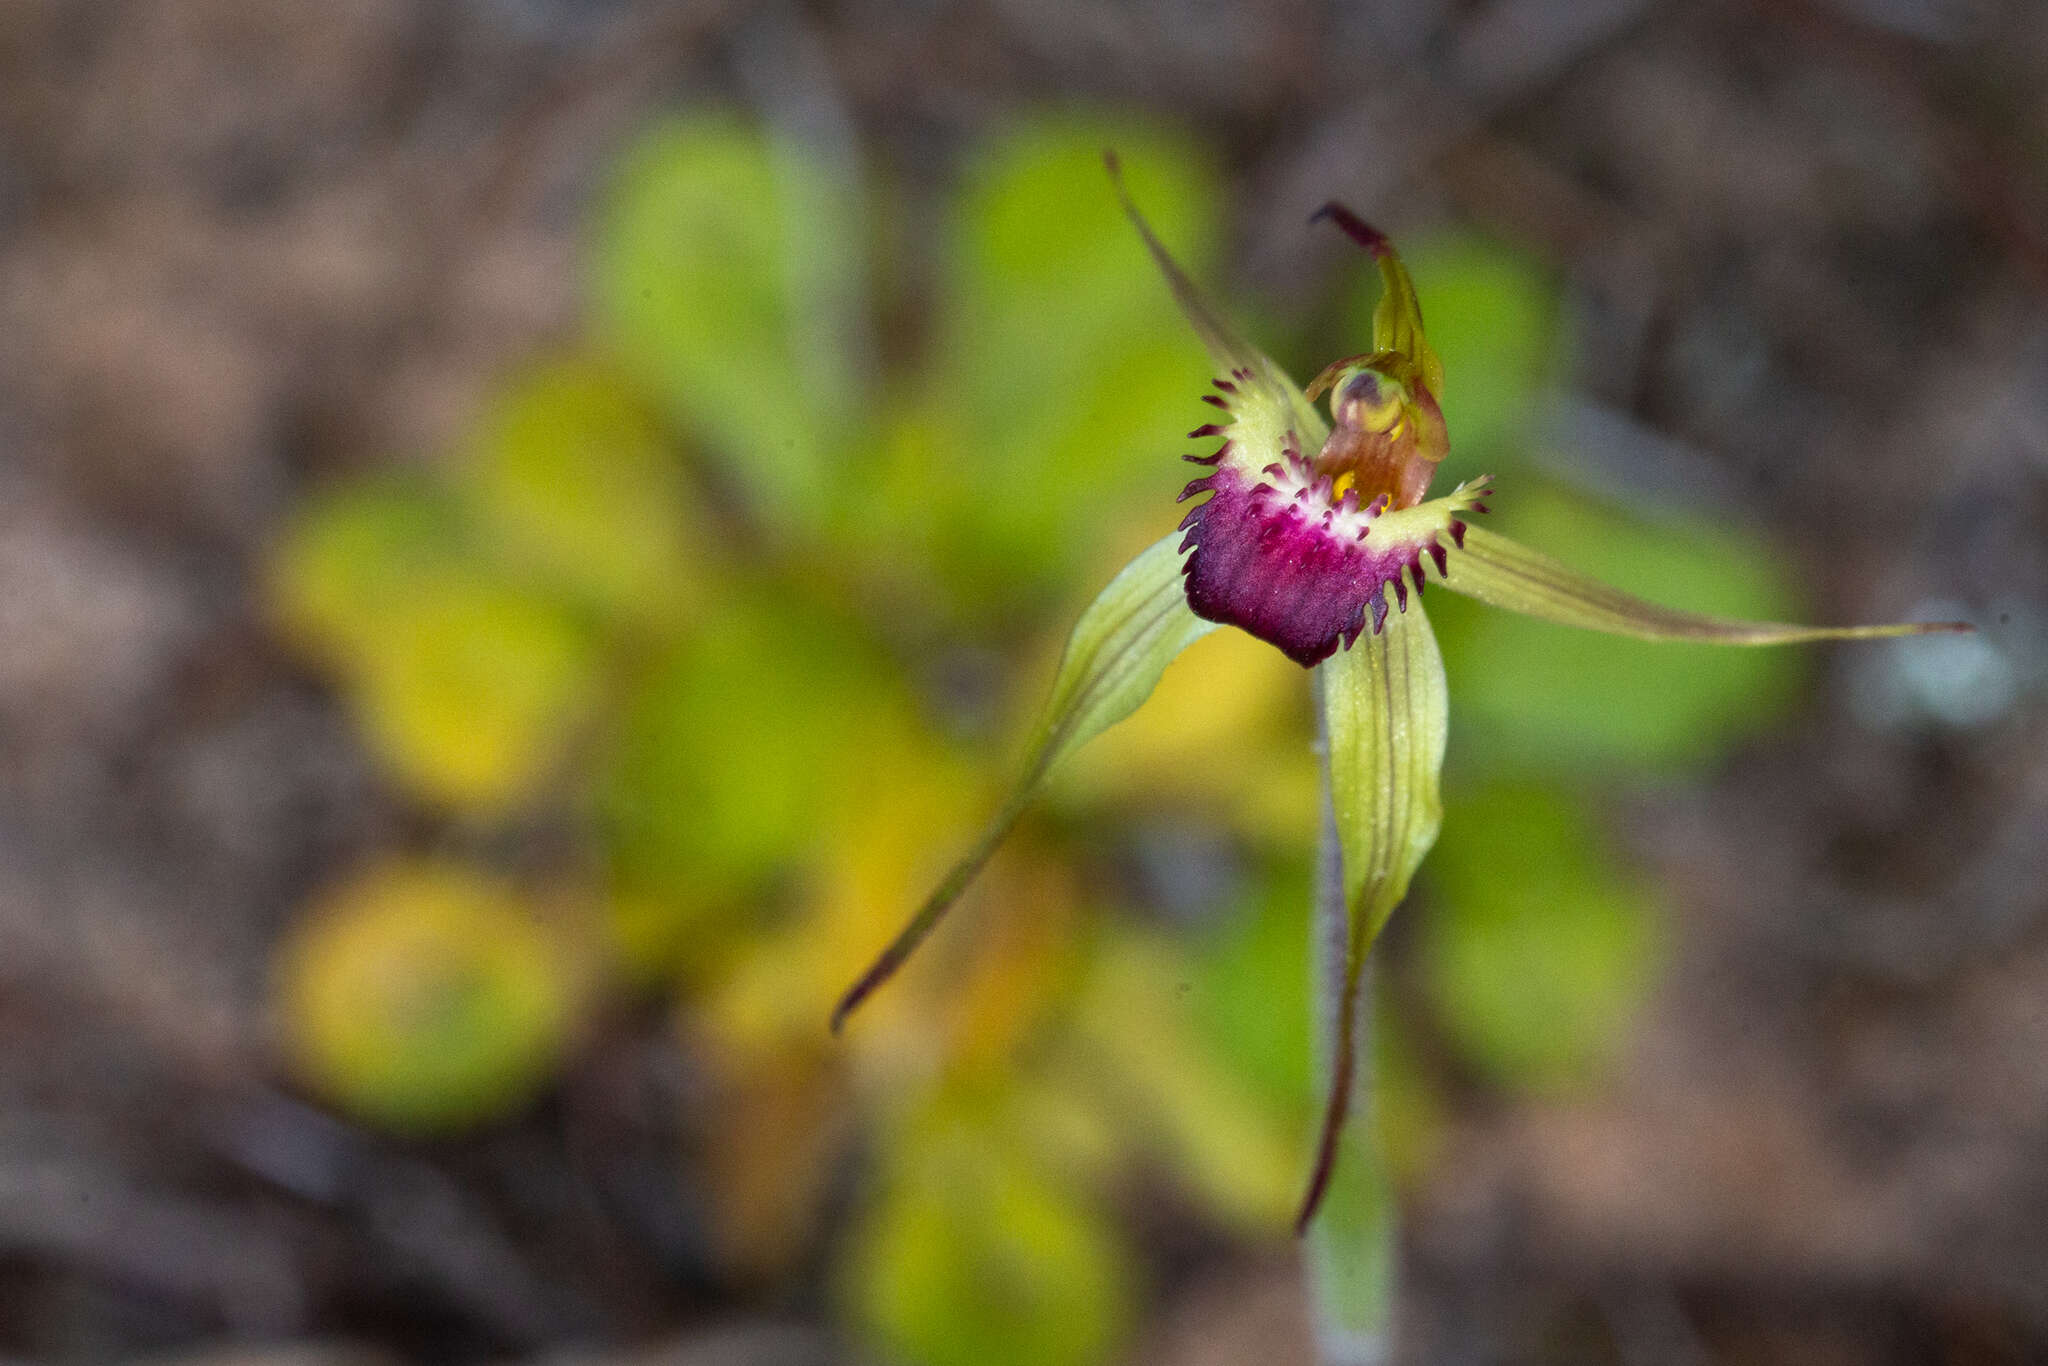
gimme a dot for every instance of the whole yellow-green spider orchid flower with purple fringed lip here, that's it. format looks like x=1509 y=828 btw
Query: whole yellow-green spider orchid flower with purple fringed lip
x=1318 y=540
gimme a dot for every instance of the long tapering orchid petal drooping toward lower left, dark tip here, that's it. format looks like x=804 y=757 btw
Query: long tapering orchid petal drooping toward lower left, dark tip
x=1115 y=658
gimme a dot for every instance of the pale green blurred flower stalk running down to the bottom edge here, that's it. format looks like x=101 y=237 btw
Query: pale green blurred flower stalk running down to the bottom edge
x=1351 y=1246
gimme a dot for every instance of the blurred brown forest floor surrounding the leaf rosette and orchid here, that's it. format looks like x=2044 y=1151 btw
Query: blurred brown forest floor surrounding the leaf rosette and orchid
x=249 y=247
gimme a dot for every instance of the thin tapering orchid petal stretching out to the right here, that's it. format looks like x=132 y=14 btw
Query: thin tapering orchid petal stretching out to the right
x=1519 y=579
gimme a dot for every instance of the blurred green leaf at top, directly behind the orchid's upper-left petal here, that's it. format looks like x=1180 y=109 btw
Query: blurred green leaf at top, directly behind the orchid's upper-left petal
x=1062 y=376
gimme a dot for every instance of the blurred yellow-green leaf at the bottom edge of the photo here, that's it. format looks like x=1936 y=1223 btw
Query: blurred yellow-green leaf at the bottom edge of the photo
x=976 y=1258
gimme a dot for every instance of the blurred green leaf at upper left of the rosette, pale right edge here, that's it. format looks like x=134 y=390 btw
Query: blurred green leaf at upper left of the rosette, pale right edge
x=724 y=278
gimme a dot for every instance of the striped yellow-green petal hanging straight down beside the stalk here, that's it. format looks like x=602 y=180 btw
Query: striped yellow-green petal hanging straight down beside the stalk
x=1385 y=718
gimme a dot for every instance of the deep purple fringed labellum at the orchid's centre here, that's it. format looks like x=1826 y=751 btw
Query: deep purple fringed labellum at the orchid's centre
x=1287 y=564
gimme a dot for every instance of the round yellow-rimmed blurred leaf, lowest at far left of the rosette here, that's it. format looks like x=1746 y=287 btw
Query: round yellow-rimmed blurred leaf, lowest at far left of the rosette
x=425 y=996
